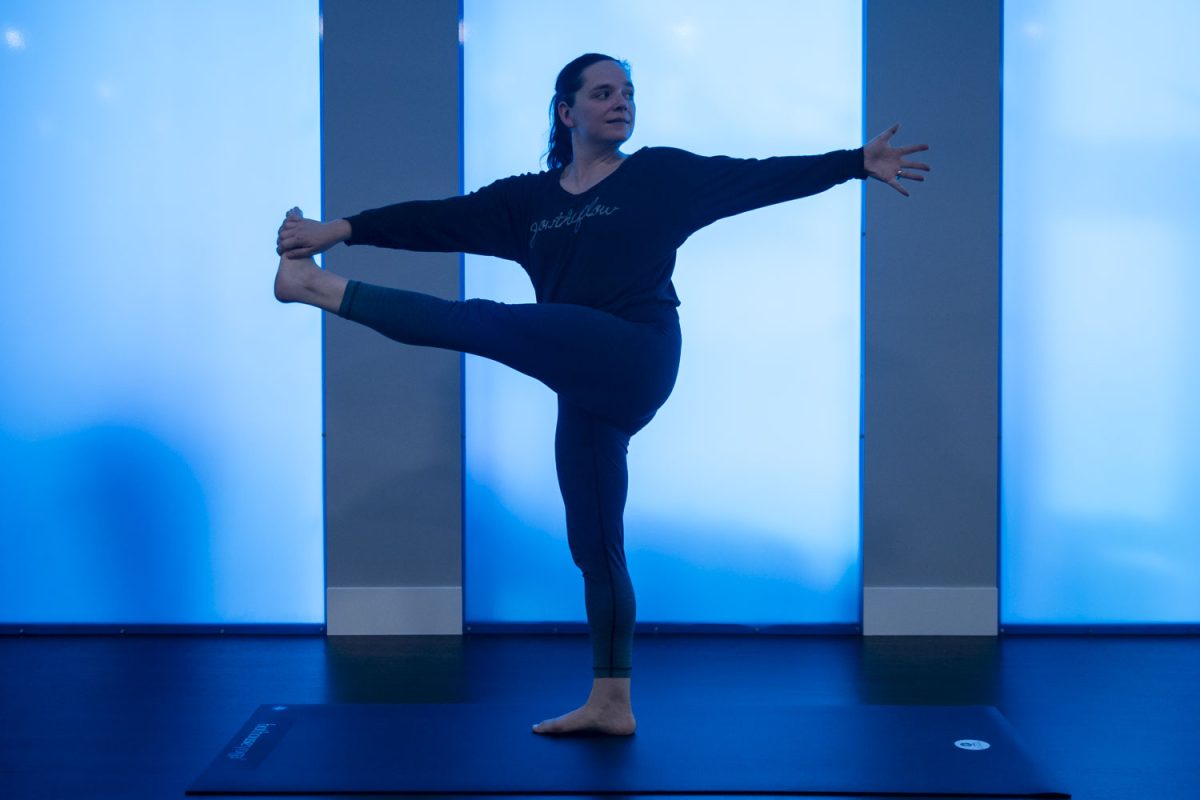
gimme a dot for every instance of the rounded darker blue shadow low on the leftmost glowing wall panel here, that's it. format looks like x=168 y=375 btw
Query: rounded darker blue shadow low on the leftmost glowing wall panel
x=105 y=526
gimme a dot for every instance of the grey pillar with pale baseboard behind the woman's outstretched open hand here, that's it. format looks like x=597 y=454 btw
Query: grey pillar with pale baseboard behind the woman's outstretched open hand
x=932 y=323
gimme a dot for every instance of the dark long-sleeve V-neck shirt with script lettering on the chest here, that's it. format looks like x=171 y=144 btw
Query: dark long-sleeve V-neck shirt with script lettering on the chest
x=614 y=246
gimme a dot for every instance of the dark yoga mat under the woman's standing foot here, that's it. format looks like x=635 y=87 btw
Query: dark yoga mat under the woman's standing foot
x=485 y=749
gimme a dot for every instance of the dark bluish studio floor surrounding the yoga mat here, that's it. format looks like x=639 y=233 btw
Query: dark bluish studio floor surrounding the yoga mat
x=141 y=717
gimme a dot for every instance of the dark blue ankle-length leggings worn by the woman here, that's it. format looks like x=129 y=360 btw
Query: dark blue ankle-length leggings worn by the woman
x=611 y=376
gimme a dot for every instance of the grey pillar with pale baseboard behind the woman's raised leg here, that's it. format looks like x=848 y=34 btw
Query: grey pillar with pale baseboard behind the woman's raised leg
x=391 y=133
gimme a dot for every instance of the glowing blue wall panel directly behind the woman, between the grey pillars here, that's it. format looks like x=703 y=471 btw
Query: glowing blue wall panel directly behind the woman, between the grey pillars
x=743 y=503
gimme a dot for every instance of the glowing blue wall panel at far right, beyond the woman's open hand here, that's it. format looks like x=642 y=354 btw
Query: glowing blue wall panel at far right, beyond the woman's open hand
x=1101 y=456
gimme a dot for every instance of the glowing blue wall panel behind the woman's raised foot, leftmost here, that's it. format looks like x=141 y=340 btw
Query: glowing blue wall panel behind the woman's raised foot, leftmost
x=160 y=418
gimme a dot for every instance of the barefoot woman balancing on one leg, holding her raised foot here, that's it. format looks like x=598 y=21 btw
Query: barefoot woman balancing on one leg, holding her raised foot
x=598 y=236
